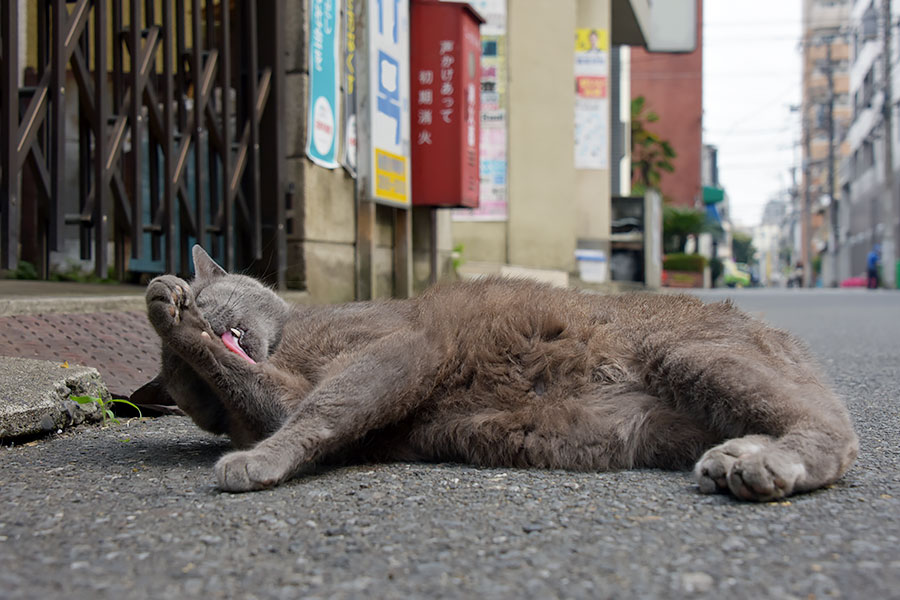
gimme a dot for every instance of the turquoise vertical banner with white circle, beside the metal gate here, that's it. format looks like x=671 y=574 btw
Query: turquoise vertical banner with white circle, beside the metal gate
x=322 y=123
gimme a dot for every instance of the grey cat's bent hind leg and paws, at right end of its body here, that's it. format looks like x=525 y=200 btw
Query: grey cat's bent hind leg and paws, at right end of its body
x=786 y=432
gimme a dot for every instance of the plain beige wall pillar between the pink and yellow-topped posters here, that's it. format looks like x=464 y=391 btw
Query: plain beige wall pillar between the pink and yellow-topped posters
x=542 y=214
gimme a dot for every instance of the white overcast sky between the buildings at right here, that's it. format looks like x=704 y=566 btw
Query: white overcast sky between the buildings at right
x=751 y=77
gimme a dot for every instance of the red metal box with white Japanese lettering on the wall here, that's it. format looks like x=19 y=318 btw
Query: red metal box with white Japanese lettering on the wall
x=445 y=74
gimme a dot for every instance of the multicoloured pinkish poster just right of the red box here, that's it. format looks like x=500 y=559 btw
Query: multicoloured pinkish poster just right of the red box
x=492 y=154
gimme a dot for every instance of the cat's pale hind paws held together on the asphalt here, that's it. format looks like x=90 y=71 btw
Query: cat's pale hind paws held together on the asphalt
x=751 y=468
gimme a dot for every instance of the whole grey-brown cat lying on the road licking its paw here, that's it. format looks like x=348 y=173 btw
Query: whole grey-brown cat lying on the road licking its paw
x=497 y=373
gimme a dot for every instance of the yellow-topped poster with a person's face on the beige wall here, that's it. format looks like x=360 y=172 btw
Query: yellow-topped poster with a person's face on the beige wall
x=591 y=99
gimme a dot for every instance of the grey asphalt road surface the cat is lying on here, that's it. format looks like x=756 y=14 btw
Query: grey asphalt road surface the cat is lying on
x=130 y=511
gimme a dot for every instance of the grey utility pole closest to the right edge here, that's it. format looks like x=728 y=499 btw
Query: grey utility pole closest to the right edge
x=888 y=251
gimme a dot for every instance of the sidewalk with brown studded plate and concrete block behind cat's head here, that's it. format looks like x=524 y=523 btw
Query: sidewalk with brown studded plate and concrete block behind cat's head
x=59 y=340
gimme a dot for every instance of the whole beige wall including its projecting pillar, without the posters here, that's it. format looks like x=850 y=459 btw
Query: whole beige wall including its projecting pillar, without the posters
x=552 y=206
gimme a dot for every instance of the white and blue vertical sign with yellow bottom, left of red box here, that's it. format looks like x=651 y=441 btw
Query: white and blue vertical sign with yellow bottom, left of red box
x=388 y=34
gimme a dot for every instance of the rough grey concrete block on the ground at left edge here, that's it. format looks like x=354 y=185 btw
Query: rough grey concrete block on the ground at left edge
x=36 y=396
